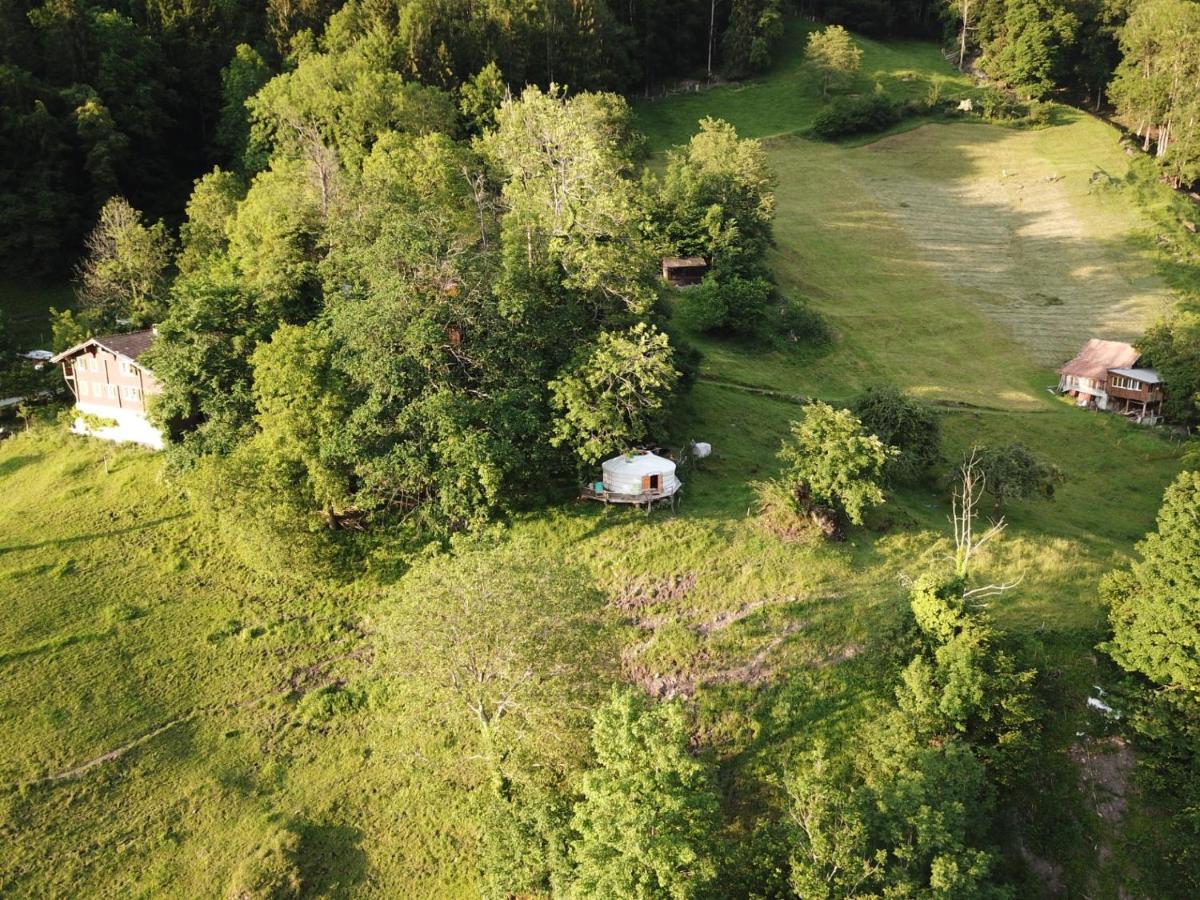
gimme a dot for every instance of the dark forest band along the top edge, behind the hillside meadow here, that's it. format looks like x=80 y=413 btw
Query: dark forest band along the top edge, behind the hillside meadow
x=140 y=100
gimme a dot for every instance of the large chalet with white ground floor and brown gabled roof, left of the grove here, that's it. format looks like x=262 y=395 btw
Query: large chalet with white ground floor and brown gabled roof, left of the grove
x=112 y=389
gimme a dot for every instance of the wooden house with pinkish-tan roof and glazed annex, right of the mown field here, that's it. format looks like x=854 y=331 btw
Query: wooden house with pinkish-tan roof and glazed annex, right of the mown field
x=1105 y=376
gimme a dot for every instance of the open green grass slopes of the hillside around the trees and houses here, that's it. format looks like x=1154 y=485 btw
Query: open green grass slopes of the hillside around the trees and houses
x=230 y=695
